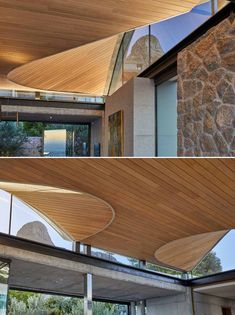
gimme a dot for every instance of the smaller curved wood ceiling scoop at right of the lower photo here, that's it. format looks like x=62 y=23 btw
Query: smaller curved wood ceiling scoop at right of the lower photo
x=192 y=248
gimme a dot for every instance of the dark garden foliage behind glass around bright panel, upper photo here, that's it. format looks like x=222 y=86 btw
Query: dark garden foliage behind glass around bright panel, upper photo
x=15 y=138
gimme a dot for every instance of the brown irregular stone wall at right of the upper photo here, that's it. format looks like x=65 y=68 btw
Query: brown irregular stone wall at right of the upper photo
x=206 y=94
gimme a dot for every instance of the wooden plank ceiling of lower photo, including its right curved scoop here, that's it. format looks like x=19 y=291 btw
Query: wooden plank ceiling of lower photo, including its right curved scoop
x=156 y=201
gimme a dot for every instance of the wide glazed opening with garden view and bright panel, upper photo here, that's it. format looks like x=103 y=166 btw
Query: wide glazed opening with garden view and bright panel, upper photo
x=30 y=139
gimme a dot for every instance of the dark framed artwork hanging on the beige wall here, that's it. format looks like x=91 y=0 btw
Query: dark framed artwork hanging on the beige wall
x=115 y=134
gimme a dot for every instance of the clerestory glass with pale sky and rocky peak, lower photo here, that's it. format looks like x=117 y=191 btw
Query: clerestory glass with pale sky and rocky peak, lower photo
x=27 y=223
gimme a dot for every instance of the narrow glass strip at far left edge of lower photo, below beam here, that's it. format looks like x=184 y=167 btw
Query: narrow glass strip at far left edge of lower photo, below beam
x=4 y=274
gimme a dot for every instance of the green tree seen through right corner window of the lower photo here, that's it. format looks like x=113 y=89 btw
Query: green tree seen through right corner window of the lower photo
x=210 y=264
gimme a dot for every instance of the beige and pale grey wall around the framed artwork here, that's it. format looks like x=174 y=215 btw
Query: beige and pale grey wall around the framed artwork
x=136 y=99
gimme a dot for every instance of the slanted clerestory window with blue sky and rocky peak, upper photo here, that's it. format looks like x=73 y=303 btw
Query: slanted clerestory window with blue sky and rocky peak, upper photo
x=143 y=46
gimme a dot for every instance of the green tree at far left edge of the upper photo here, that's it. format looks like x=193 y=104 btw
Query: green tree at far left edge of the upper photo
x=12 y=138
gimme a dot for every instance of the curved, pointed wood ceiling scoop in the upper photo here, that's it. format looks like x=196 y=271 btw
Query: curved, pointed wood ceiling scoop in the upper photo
x=76 y=70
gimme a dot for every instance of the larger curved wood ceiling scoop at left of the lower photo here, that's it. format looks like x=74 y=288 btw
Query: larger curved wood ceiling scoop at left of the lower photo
x=78 y=214
